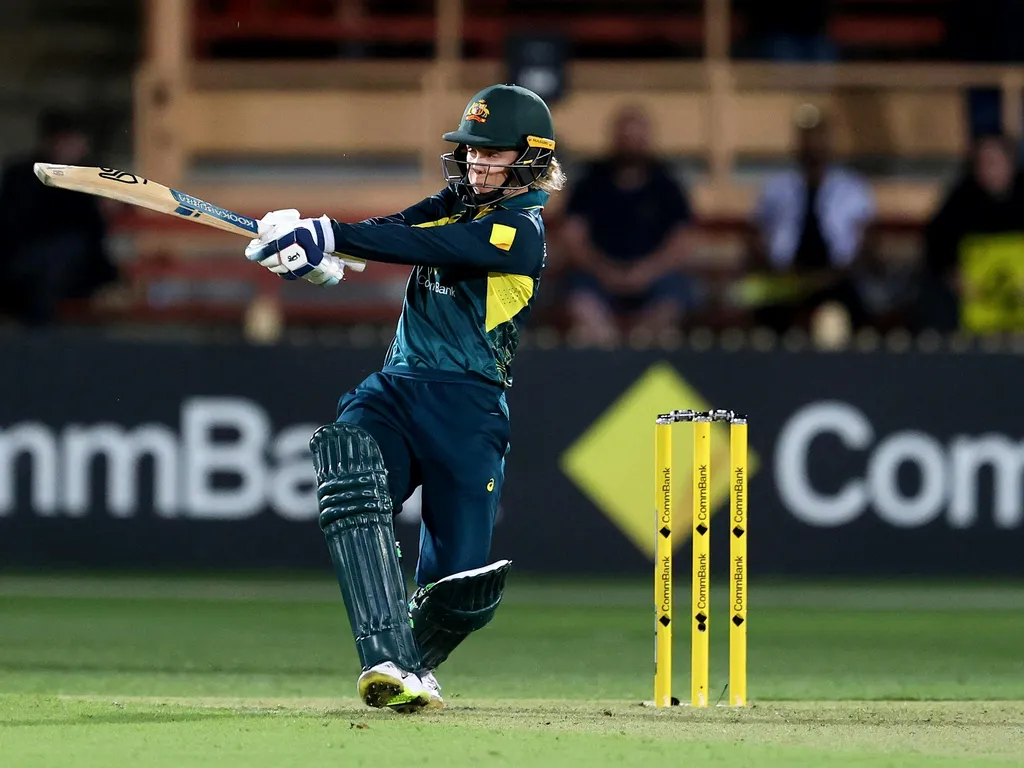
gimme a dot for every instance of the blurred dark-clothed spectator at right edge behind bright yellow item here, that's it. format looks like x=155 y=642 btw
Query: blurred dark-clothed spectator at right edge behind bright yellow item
x=988 y=200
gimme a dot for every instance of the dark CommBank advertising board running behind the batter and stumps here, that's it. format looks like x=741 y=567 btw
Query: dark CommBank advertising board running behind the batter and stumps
x=119 y=454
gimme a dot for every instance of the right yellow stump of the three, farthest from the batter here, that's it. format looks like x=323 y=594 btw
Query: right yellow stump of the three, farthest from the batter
x=738 y=558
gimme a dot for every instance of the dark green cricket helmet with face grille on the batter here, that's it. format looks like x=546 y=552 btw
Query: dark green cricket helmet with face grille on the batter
x=501 y=117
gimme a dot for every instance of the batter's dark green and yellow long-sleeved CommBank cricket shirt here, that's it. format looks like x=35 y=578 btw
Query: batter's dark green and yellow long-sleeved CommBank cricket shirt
x=476 y=277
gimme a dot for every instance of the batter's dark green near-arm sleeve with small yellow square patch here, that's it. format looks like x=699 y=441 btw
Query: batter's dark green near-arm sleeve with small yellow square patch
x=504 y=241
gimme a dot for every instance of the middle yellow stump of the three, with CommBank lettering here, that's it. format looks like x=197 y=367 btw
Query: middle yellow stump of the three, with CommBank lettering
x=701 y=599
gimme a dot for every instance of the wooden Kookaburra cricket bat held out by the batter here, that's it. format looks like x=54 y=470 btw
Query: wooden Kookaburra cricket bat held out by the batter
x=137 y=191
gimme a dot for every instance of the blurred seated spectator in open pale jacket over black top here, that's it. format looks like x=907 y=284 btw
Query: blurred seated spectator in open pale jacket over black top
x=810 y=226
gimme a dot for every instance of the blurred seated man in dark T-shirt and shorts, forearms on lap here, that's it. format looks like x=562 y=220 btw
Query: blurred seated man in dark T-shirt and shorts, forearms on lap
x=626 y=237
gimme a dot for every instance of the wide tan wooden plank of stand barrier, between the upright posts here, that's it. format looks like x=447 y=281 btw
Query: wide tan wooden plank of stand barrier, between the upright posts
x=258 y=124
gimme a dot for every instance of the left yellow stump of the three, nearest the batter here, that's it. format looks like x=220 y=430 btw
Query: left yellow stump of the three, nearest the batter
x=663 y=565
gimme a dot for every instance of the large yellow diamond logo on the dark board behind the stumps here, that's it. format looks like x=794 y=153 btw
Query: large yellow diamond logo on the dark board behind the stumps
x=614 y=461
